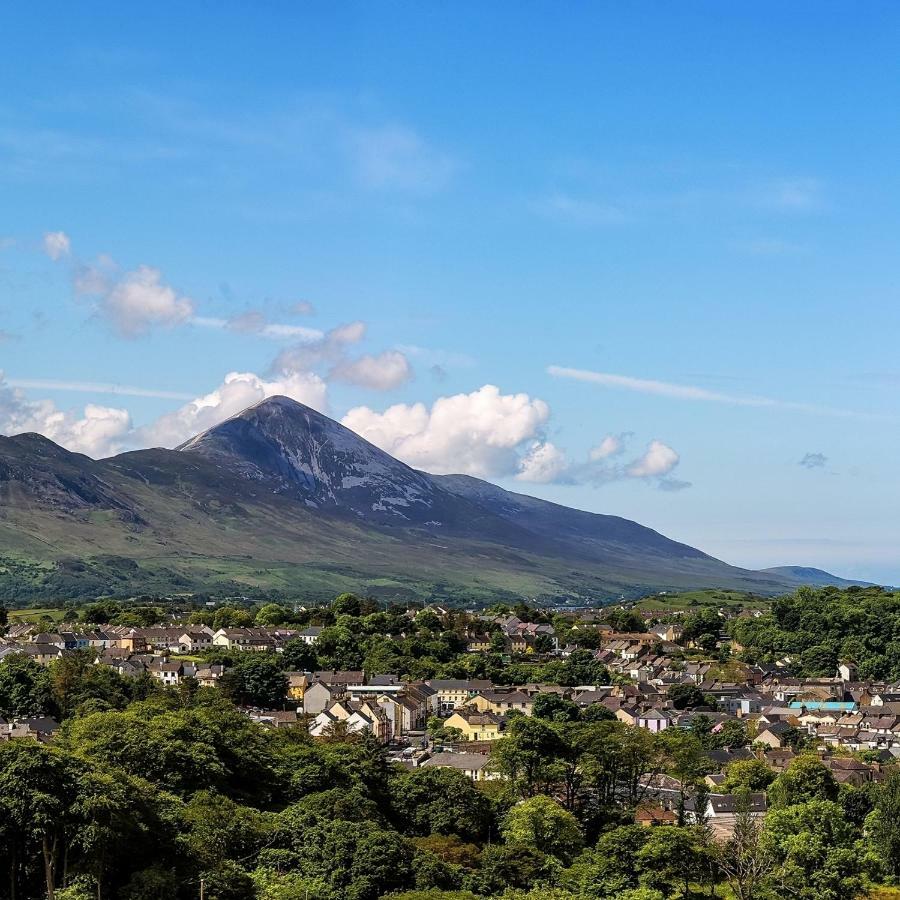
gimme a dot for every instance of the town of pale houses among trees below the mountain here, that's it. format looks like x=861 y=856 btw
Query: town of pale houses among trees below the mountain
x=654 y=670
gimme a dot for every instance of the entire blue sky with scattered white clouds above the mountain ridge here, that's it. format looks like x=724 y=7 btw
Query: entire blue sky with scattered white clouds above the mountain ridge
x=636 y=258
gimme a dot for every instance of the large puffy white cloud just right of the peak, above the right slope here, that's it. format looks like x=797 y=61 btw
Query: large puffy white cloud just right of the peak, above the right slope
x=483 y=433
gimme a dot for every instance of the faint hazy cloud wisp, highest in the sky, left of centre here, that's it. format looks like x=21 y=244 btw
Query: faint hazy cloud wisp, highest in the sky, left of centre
x=395 y=157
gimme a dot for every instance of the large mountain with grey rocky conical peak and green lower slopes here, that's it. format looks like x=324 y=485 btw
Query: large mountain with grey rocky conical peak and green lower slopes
x=282 y=498
